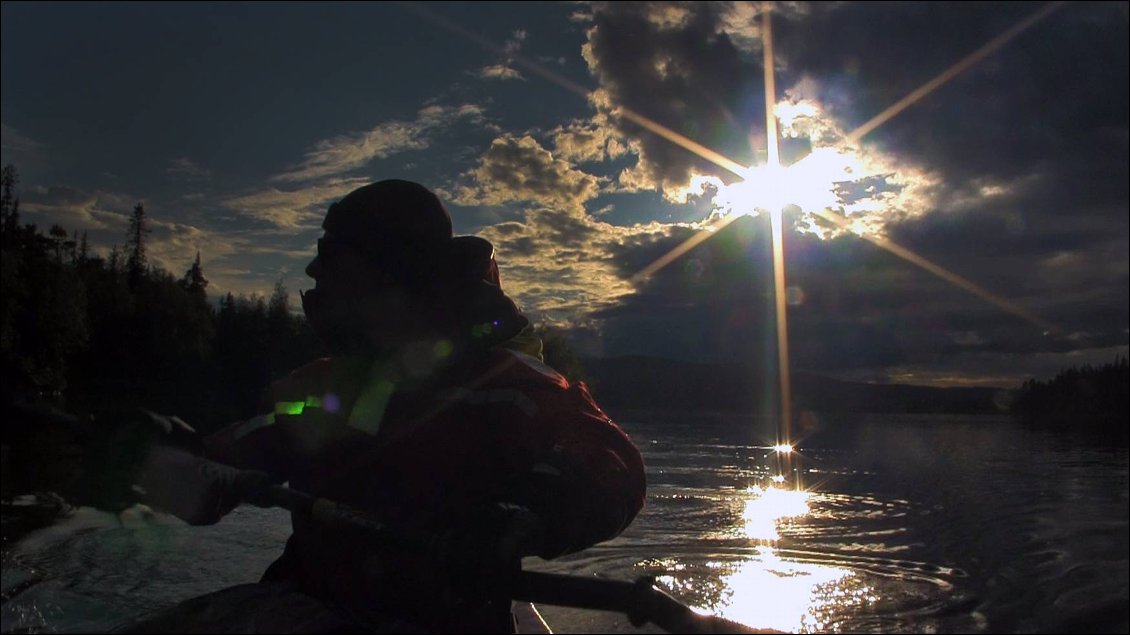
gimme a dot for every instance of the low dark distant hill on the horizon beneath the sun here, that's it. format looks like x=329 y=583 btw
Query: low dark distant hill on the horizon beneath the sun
x=654 y=384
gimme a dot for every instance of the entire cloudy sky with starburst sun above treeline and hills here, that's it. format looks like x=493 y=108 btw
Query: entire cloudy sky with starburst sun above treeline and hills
x=976 y=237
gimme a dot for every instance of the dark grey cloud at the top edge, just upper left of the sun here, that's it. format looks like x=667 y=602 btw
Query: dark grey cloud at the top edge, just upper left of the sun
x=668 y=63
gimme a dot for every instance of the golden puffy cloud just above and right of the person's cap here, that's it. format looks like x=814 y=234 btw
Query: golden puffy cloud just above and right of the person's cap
x=519 y=170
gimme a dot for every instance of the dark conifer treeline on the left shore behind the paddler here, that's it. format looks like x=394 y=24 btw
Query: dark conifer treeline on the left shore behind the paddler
x=102 y=335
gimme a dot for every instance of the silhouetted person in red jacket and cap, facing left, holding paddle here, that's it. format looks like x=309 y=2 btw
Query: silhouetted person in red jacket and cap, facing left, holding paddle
x=434 y=412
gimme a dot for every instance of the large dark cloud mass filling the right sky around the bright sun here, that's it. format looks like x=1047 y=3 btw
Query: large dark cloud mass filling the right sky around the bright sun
x=1021 y=167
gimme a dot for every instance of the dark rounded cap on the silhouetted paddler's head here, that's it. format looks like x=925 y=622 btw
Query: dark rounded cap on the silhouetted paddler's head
x=390 y=215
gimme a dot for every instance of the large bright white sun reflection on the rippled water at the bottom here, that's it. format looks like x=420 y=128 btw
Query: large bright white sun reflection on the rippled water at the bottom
x=767 y=590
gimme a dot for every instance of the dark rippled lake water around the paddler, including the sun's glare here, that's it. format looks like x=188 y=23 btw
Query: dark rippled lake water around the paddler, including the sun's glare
x=884 y=525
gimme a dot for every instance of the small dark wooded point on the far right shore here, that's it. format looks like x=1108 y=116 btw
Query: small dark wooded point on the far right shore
x=1085 y=399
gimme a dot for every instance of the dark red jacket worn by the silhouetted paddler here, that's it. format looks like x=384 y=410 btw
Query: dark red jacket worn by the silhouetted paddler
x=429 y=451
